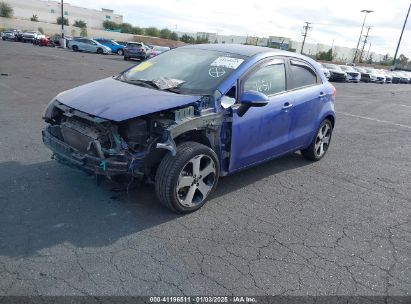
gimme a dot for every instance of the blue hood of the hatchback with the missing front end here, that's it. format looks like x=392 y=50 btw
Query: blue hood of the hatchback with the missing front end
x=115 y=100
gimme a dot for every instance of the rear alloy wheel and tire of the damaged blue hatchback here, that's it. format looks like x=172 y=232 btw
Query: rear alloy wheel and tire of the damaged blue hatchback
x=320 y=143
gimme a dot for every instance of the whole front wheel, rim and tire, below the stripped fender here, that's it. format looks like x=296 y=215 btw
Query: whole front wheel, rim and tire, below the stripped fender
x=185 y=181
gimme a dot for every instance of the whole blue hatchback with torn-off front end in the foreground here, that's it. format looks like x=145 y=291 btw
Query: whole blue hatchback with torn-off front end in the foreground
x=188 y=116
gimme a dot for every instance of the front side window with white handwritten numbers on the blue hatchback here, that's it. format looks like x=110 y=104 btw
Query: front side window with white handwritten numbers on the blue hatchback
x=269 y=79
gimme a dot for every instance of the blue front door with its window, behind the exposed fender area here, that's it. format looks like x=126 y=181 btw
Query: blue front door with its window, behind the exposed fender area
x=262 y=132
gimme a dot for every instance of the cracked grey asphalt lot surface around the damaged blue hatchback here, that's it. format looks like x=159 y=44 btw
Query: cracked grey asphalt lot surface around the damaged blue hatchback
x=340 y=226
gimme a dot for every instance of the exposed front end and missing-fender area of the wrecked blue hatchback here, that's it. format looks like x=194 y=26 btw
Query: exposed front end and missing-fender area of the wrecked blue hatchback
x=135 y=146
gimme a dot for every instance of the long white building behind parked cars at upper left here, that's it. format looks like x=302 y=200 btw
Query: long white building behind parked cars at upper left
x=49 y=11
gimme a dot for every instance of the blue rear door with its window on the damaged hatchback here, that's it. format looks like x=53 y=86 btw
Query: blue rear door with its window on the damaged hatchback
x=309 y=96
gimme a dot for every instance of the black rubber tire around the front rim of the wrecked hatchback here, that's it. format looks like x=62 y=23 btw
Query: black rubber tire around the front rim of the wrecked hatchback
x=170 y=168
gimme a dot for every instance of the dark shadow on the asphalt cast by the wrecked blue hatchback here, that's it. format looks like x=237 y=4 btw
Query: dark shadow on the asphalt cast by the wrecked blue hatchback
x=47 y=204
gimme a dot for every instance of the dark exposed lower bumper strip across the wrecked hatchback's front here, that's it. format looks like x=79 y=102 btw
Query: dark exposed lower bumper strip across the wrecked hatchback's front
x=86 y=162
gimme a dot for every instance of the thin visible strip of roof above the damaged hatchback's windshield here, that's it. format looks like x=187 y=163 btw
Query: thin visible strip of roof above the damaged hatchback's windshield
x=239 y=49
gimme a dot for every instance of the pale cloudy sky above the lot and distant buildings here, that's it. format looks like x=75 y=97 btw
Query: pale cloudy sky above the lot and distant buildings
x=332 y=20
